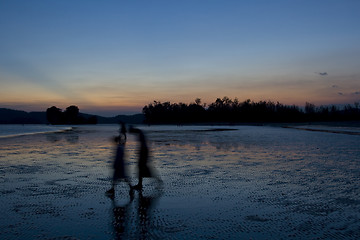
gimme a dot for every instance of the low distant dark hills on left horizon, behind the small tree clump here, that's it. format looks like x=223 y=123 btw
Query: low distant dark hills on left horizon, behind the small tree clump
x=11 y=116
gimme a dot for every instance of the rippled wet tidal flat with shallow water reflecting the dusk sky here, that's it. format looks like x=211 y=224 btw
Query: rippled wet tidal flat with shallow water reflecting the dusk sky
x=242 y=182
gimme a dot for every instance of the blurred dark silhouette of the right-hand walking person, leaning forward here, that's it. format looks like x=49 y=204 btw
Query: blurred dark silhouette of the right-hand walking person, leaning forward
x=143 y=169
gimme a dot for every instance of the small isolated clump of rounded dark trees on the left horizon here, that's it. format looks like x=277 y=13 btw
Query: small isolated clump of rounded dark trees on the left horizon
x=71 y=115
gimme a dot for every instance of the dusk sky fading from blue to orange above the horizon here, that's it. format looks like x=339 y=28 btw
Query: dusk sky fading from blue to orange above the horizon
x=114 y=57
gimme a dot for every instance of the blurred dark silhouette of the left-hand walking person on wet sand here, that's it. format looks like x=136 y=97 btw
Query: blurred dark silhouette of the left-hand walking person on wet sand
x=119 y=165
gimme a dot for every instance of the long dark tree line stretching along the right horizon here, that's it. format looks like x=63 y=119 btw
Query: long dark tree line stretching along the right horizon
x=226 y=110
